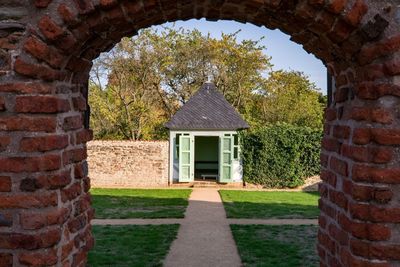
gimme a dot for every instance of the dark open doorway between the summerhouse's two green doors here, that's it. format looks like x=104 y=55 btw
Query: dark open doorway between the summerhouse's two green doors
x=206 y=157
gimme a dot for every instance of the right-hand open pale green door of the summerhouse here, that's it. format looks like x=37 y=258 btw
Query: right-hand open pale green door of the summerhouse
x=226 y=155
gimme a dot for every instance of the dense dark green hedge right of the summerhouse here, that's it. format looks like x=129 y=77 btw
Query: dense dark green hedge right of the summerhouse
x=280 y=155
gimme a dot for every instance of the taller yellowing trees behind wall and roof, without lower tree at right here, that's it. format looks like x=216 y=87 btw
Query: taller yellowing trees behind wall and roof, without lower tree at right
x=151 y=75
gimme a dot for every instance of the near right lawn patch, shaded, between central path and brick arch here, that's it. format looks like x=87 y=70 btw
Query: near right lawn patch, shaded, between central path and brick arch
x=276 y=245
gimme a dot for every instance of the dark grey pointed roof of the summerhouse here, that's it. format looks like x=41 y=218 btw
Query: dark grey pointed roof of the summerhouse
x=207 y=109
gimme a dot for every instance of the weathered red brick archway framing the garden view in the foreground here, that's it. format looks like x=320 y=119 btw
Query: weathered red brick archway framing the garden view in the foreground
x=46 y=49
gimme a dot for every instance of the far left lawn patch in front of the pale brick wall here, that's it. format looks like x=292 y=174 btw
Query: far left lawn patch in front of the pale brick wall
x=140 y=203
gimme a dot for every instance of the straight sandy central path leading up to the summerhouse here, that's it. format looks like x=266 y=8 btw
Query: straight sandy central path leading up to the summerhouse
x=204 y=238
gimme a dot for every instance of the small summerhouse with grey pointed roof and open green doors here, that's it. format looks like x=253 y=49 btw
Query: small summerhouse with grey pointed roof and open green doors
x=204 y=142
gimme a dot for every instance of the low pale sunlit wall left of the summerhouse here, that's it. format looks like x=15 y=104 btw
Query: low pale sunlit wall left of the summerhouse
x=128 y=164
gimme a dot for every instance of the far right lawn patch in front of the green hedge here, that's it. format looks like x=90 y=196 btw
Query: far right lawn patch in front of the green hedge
x=265 y=205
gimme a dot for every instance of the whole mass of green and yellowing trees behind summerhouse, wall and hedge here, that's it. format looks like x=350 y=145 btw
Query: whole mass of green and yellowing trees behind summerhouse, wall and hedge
x=142 y=82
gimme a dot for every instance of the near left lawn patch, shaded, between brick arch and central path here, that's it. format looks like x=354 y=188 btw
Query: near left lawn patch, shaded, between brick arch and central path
x=134 y=245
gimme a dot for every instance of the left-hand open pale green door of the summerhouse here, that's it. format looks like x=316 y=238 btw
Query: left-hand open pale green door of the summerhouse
x=186 y=160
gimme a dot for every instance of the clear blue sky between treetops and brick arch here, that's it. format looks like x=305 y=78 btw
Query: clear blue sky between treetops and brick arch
x=285 y=54
